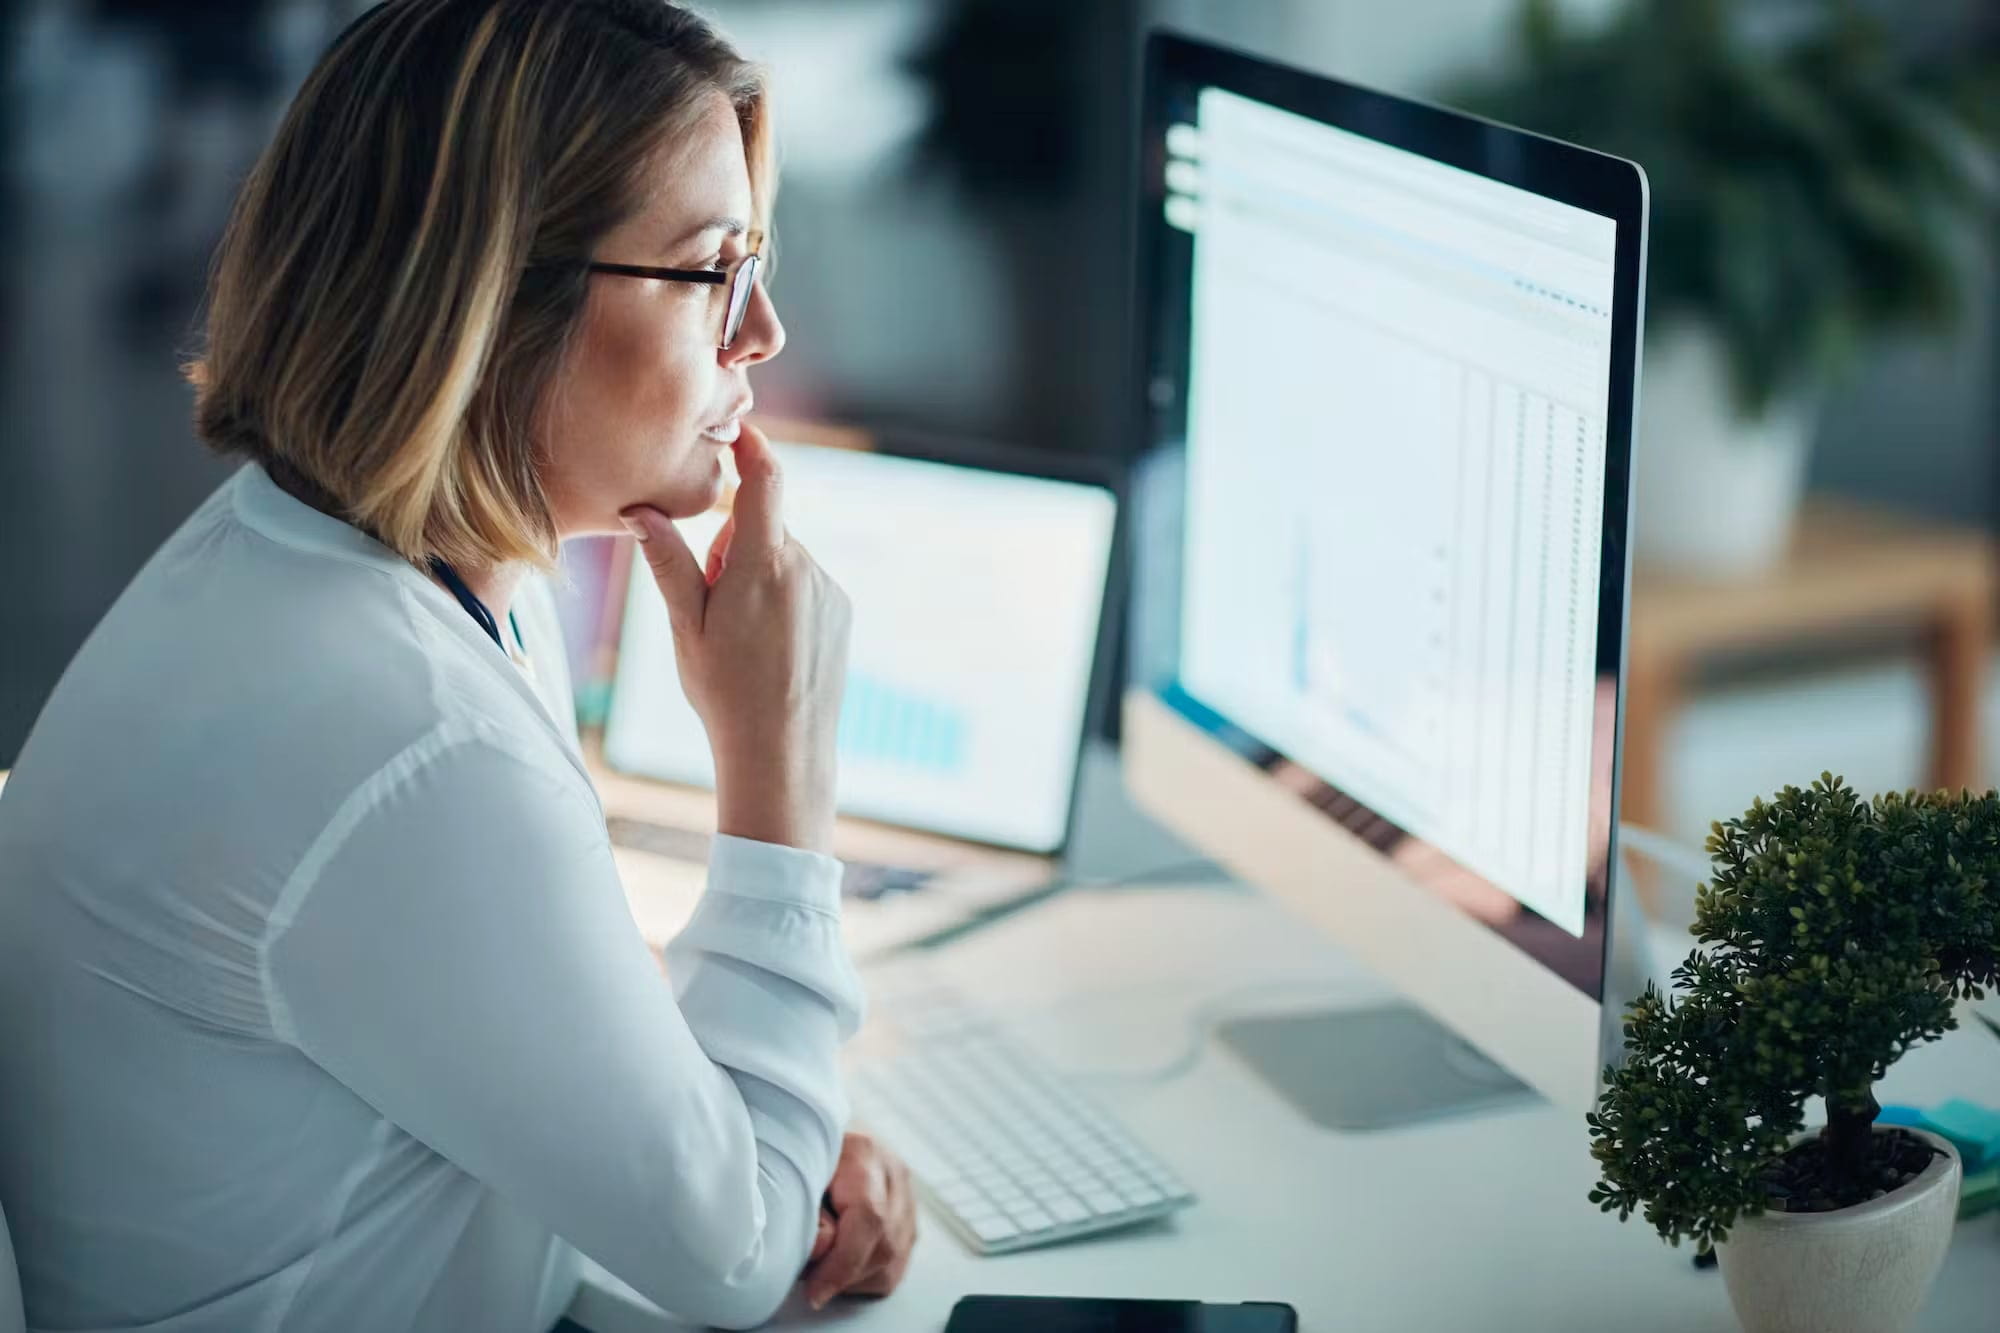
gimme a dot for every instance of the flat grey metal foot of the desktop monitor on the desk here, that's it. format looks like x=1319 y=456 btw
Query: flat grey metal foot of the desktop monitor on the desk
x=1379 y=1068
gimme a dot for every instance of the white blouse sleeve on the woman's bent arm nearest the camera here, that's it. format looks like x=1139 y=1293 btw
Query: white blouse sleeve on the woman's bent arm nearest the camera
x=457 y=952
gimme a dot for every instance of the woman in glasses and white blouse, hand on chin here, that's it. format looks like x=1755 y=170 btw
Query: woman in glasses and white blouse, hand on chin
x=319 y=1000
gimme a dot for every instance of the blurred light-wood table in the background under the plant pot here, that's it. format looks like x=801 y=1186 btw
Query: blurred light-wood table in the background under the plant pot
x=1851 y=571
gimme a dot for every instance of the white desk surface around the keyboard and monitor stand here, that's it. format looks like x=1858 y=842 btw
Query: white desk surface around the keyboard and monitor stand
x=1479 y=1224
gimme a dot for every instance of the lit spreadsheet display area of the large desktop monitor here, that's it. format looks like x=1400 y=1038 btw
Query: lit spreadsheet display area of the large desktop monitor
x=1397 y=397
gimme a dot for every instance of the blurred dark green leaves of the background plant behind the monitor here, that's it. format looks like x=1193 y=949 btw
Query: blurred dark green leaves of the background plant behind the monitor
x=1809 y=189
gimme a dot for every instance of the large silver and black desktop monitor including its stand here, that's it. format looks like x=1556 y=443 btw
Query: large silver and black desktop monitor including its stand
x=1389 y=369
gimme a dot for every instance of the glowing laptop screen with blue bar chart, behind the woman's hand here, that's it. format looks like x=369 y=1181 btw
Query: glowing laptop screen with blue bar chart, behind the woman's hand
x=977 y=609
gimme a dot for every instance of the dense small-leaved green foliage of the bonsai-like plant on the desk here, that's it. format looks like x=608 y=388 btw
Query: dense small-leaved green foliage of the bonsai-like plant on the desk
x=1835 y=936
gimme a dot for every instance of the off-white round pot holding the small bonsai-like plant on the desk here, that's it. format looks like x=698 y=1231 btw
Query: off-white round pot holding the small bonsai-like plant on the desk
x=1863 y=1270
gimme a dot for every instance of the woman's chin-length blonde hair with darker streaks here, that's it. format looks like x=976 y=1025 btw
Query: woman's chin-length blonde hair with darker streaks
x=403 y=267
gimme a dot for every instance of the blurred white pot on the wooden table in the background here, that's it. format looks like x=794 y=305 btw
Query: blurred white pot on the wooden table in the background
x=1715 y=493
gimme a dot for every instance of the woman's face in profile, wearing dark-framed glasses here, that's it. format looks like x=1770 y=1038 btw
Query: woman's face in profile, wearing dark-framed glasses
x=647 y=403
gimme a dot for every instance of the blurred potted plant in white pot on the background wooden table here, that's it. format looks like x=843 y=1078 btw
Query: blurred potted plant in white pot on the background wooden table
x=1819 y=181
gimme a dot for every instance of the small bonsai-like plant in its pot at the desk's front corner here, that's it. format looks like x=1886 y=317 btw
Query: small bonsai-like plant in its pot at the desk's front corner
x=1833 y=936
